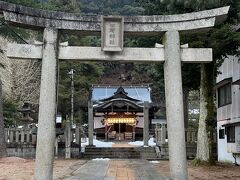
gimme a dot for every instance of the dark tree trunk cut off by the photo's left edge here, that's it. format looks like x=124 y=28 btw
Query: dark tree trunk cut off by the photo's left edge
x=3 y=148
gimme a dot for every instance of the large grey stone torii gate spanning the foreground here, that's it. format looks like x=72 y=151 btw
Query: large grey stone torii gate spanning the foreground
x=171 y=53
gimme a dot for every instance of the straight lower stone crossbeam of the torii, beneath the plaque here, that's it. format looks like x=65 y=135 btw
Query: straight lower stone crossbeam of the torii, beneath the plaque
x=188 y=55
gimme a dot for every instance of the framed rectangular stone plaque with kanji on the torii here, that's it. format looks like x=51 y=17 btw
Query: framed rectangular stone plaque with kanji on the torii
x=112 y=33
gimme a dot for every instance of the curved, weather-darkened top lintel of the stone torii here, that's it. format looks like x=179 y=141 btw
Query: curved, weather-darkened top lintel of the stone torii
x=91 y=25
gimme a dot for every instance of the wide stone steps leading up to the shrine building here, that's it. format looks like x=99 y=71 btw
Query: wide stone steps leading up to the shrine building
x=120 y=152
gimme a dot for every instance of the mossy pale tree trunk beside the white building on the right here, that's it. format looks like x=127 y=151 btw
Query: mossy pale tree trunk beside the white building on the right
x=206 y=119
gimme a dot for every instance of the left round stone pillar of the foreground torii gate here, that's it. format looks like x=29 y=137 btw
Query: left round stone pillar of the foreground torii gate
x=47 y=106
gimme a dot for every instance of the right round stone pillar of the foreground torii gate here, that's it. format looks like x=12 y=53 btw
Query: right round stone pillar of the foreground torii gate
x=174 y=106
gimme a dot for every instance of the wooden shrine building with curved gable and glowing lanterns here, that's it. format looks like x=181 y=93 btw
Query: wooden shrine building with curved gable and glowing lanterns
x=118 y=111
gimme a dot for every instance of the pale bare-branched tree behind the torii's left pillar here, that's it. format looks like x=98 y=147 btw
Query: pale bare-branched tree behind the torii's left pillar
x=21 y=78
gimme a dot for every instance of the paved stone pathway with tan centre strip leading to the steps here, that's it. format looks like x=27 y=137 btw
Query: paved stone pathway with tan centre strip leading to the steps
x=117 y=170
